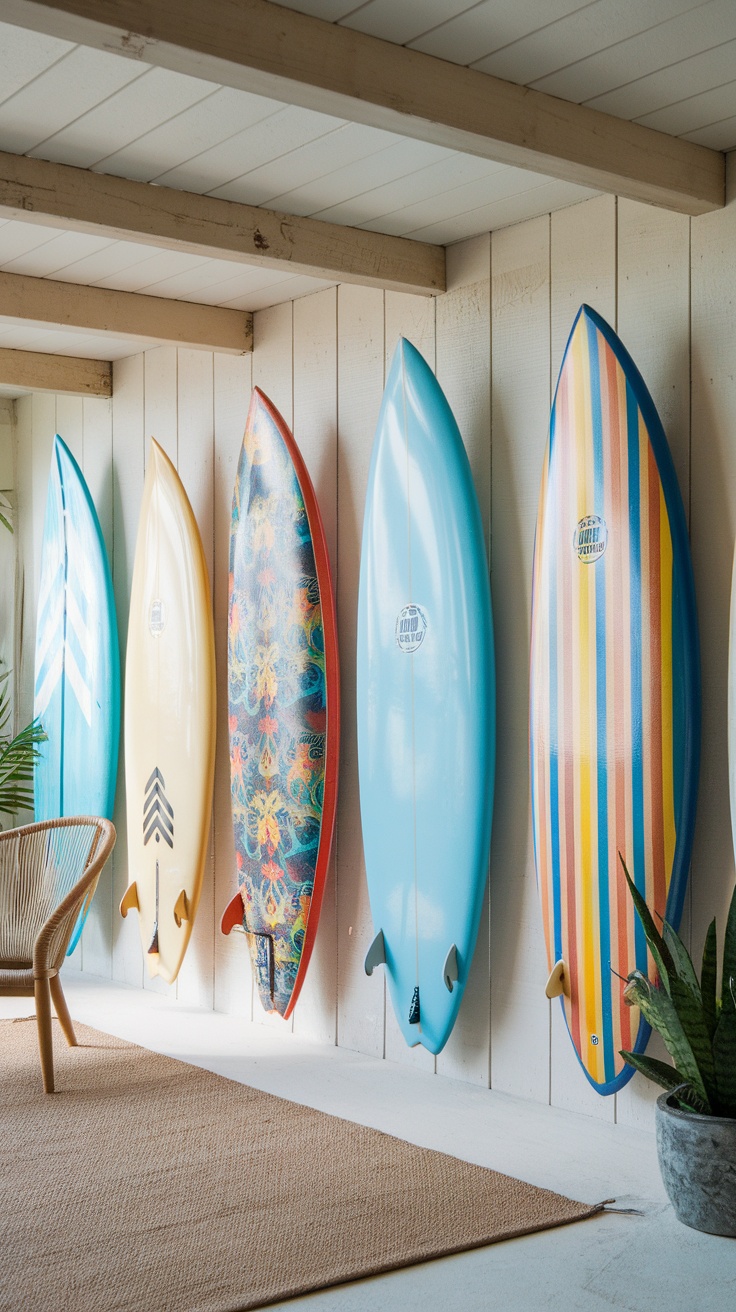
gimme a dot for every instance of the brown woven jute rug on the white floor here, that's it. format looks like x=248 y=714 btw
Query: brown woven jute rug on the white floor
x=148 y=1185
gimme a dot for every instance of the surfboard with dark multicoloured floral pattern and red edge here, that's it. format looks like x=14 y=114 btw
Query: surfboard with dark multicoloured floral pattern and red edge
x=284 y=704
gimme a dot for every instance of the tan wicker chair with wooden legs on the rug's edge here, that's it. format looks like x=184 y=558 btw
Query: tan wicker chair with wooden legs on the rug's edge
x=48 y=874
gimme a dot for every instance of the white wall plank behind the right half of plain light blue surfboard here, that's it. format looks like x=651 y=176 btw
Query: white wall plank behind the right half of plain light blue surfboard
x=464 y=372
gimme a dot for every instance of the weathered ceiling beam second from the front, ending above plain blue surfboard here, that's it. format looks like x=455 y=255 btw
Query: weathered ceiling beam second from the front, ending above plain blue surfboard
x=35 y=190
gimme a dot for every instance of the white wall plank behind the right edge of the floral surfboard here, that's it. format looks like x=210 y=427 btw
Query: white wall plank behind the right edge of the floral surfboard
x=316 y=431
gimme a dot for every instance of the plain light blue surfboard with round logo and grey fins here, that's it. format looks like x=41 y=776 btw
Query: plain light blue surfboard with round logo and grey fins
x=426 y=686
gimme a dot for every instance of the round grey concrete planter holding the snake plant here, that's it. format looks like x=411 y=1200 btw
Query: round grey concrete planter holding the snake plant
x=699 y=1166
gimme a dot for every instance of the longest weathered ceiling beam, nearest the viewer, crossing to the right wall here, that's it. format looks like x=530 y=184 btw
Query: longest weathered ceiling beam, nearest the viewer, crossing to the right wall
x=262 y=48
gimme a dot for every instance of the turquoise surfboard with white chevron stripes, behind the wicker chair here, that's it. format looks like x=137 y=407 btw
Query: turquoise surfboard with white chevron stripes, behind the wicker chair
x=78 y=674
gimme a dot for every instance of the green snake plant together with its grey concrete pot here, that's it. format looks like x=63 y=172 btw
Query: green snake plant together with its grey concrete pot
x=696 y=1116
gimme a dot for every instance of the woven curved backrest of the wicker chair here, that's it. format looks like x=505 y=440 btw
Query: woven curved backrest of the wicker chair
x=41 y=867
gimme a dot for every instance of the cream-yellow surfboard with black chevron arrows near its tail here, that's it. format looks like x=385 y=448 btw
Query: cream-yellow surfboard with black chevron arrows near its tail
x=170 y=720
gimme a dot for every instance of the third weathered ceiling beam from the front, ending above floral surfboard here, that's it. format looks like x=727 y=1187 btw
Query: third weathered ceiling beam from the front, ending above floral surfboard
x=127 y=314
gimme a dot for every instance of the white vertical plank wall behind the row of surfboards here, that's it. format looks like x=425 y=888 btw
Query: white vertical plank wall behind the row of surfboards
x=497 y=340
